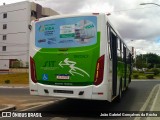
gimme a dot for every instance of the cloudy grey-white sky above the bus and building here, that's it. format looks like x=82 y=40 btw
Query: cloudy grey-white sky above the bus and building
x=139 y=25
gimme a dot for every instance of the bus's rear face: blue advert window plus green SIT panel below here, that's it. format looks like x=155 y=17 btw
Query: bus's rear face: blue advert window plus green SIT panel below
x=69 y=51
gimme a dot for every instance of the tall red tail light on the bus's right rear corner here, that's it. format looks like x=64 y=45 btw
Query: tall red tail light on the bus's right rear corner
x=99 y=71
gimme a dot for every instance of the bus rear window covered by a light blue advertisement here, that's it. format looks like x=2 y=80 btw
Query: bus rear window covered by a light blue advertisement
x=66 y=32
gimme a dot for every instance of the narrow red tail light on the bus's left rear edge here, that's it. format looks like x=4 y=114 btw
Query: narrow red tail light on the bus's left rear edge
x=33 y=70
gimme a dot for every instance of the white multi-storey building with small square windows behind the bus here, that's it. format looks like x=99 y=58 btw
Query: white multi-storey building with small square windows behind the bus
x=14 y=33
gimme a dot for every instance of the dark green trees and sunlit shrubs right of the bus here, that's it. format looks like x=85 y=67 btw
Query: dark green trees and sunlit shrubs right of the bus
x=146 y=66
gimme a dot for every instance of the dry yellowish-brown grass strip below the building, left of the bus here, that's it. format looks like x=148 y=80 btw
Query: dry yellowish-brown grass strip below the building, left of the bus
x=17 y=78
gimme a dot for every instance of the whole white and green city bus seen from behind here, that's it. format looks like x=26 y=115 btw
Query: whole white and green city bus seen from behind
x=78 y=56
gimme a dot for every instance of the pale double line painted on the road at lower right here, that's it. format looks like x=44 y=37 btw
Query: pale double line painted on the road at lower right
x=143 y=108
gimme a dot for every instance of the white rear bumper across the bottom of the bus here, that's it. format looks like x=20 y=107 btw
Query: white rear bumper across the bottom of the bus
x=77 y=92
